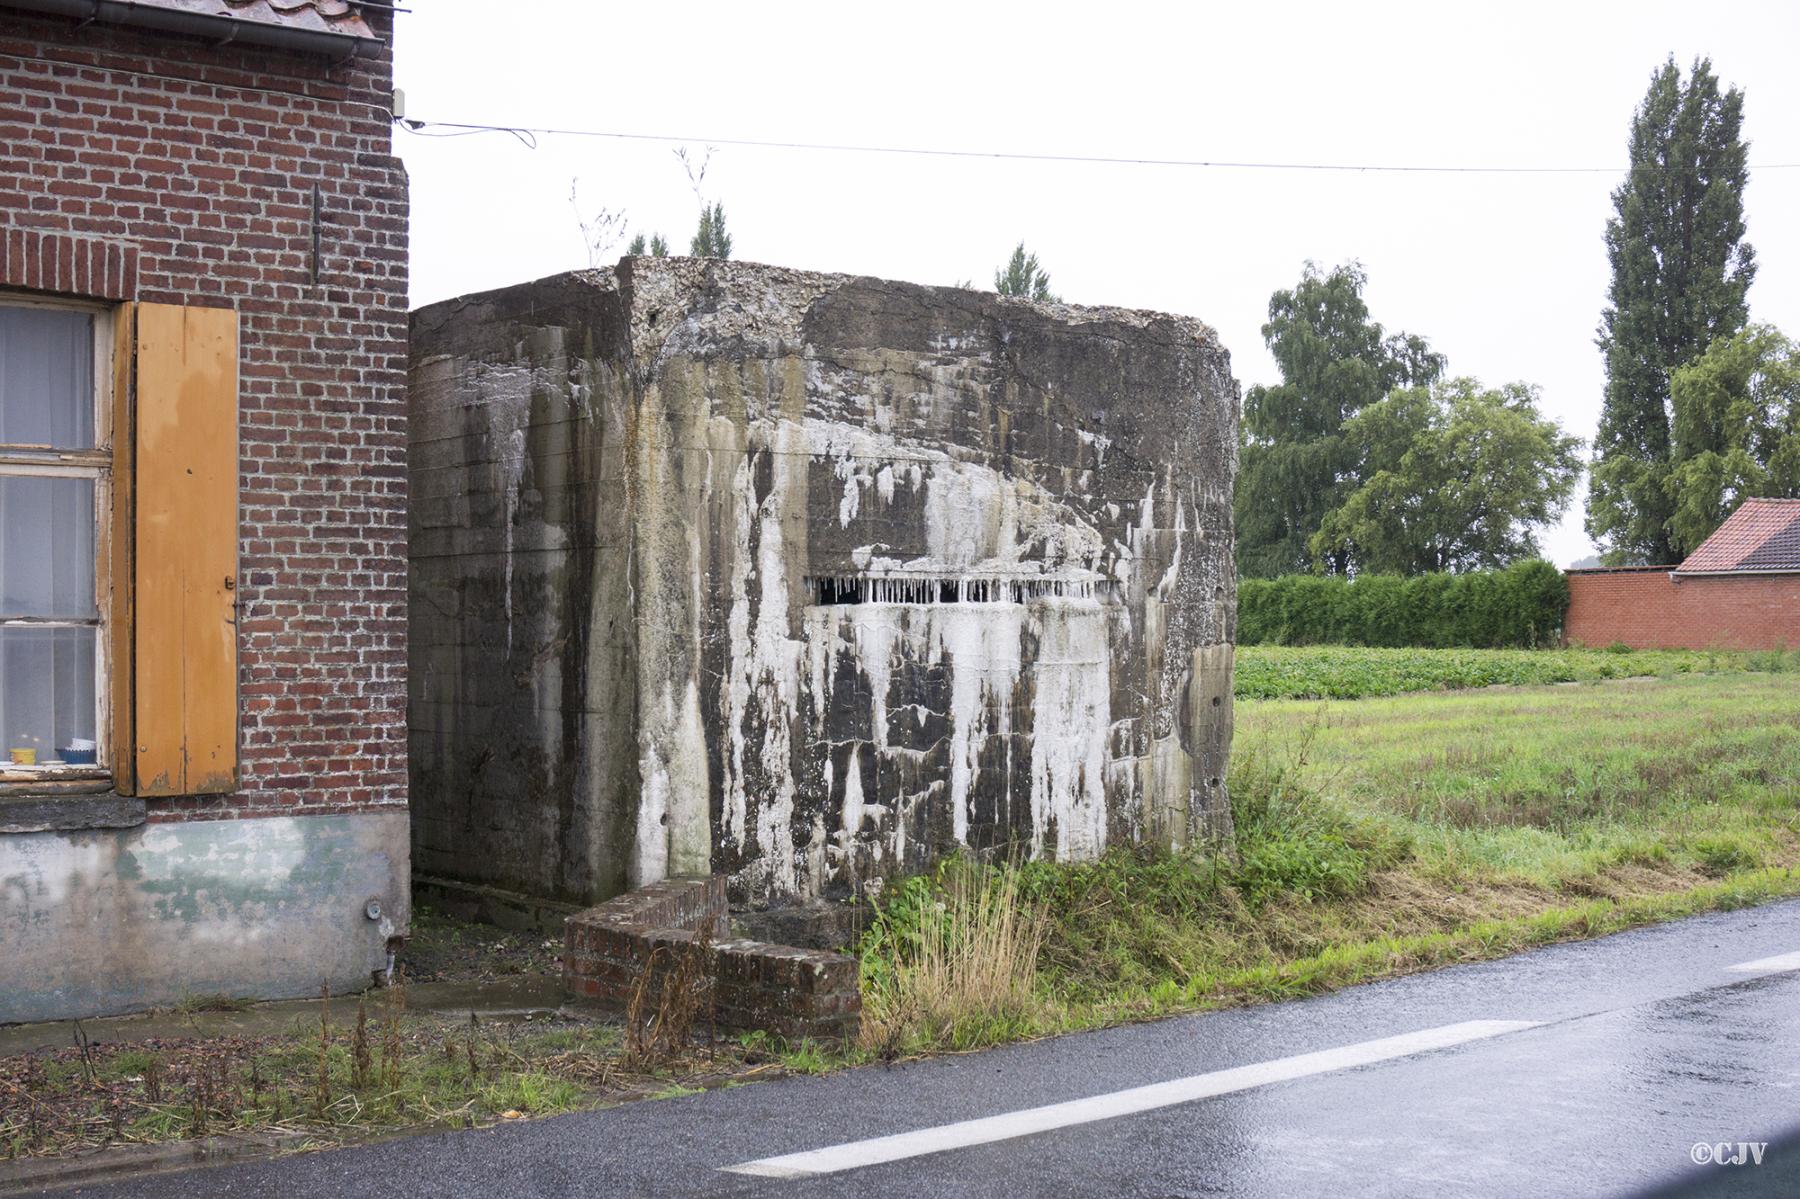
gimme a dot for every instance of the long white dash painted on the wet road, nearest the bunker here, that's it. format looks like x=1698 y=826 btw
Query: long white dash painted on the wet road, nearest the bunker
x=876 y=1151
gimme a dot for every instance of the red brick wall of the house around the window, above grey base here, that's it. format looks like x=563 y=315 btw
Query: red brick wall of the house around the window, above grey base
x=138 y=165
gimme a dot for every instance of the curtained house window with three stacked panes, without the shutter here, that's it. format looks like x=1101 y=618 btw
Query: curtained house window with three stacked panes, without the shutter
x=57 y=469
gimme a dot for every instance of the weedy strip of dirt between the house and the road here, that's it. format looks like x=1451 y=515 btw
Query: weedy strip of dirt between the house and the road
x=379 y=1076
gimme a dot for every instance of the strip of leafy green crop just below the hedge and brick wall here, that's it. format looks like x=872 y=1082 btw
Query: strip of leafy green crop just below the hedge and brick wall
x=1354 y=672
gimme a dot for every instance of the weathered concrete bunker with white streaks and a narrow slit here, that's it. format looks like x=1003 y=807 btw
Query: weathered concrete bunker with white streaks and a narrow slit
x=811 y=579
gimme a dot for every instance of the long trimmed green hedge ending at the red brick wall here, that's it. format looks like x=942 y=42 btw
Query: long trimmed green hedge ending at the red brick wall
x=1522 y=606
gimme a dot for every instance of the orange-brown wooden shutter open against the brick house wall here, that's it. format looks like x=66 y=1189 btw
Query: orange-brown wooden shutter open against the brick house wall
x=184 y=552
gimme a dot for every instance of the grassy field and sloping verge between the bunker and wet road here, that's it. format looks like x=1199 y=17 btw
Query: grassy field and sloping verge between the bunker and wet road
x=1390 y=836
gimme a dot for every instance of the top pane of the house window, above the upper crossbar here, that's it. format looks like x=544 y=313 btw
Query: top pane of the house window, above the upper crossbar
x=48 y=377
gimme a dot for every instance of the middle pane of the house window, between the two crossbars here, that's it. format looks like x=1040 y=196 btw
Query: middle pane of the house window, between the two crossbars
x=48 y=548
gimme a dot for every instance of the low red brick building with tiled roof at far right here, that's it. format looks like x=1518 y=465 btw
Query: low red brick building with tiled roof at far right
x=1738 y=591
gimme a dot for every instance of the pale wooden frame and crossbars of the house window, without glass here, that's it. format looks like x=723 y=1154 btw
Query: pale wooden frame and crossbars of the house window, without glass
x=98 y=465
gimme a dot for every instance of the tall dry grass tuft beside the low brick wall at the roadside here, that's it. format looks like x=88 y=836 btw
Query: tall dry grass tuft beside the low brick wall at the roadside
x=951 y=960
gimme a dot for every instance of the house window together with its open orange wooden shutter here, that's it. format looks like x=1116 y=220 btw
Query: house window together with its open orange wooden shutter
x=118 y=548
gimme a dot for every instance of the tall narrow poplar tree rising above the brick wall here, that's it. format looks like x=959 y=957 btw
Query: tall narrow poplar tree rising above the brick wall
x=1680 y=280
